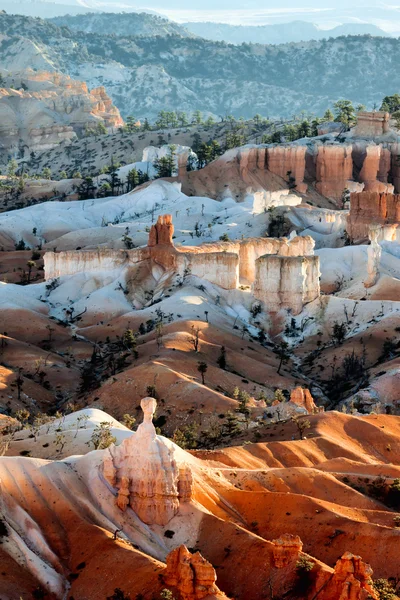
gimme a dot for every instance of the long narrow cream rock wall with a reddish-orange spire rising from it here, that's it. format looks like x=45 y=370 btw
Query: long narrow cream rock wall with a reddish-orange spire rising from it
x=222 y=263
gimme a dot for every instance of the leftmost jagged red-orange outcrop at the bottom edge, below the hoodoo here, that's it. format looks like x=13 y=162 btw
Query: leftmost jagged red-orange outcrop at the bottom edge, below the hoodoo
x=191 y=575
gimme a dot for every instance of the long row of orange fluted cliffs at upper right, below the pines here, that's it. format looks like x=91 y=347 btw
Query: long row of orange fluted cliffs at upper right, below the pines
x=279 y=175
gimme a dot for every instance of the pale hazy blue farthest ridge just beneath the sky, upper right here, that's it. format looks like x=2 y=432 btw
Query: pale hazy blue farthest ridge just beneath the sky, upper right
x=280 y=33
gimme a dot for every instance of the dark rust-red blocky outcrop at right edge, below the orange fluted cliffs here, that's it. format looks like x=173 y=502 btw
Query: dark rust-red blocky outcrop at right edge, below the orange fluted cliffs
x=371 y=209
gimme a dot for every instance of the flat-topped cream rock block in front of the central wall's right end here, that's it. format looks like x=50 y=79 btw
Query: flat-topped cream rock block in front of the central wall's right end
x=287 y=282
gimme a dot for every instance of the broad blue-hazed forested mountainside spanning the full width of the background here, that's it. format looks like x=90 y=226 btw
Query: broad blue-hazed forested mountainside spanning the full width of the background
x=144 y=74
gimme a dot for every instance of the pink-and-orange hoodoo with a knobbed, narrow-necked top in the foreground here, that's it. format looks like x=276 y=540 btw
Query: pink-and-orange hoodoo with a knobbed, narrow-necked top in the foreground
x=145 y=474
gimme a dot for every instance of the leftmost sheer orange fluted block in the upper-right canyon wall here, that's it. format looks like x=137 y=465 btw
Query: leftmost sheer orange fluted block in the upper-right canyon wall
x=289 y=162
